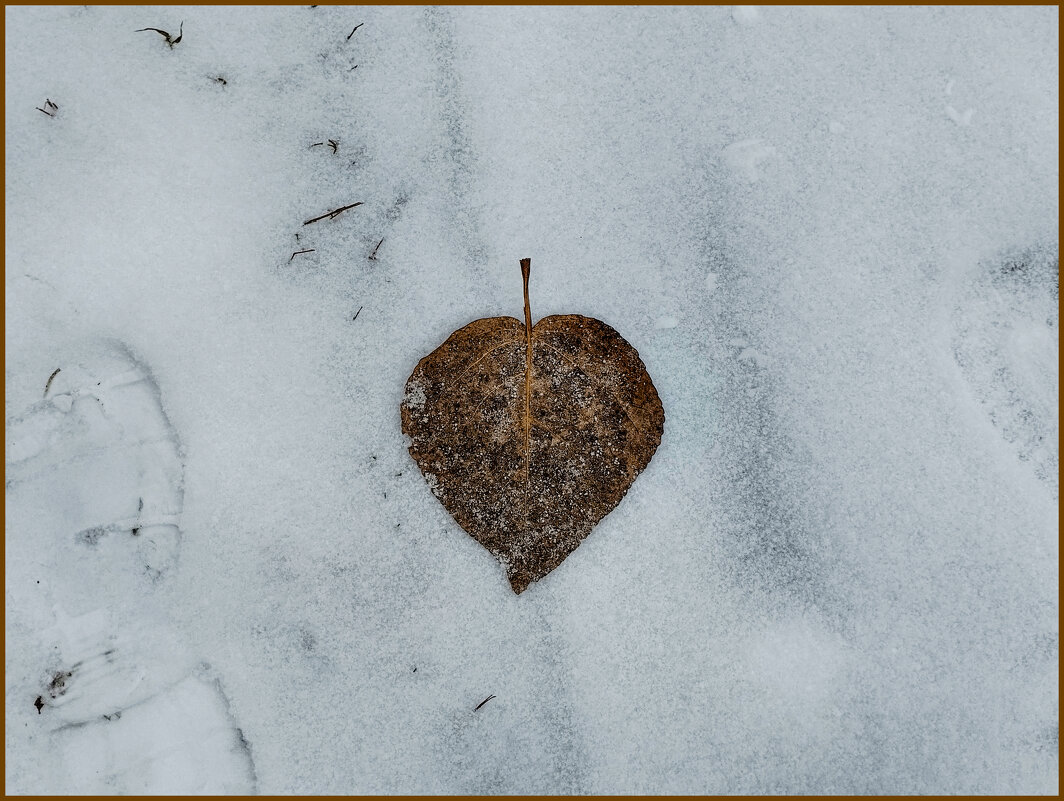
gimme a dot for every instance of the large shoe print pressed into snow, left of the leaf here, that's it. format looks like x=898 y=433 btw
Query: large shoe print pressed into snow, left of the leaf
x=94 y=480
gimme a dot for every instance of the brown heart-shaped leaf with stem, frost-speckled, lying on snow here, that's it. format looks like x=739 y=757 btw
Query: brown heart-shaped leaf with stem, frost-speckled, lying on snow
x=529 y=455
